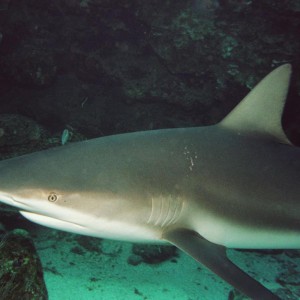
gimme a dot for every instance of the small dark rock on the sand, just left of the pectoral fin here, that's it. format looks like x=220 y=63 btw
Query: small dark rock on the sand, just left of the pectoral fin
x=151 y=254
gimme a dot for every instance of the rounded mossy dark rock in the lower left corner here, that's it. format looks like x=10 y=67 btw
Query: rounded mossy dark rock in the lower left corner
x=21 y=275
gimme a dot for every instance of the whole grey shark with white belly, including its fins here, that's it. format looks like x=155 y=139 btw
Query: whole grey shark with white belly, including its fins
x=204 y=189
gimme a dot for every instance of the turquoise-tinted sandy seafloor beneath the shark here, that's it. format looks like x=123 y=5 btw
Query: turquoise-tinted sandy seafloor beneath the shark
x=106 y=274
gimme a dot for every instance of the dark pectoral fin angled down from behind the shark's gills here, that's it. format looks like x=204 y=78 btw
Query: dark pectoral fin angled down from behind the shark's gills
x=214 y=257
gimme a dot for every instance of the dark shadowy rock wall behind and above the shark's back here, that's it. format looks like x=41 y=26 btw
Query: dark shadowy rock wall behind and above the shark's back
x=144 y=64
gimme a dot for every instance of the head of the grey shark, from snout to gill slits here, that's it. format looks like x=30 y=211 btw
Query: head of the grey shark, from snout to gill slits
x=53 y=188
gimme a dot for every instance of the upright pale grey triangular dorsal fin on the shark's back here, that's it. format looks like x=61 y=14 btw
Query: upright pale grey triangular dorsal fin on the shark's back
x=260 y=112
